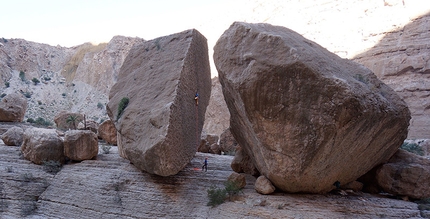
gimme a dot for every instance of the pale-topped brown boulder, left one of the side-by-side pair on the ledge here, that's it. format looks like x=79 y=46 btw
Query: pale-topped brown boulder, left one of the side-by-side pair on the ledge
x=40 y=145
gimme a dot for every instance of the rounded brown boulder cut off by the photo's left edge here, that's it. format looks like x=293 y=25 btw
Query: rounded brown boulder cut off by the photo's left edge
x=12 y=108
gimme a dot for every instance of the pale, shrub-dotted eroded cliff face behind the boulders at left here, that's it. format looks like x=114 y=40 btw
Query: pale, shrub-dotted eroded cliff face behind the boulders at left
x=75 y=79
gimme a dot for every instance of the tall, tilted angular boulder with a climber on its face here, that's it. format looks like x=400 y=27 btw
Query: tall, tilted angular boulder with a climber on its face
x=160 y=128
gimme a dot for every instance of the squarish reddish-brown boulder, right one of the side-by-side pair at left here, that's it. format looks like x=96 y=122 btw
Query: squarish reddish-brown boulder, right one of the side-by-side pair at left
x=80 y=145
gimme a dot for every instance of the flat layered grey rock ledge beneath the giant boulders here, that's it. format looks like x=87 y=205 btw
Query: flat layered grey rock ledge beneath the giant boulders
x=111 y=187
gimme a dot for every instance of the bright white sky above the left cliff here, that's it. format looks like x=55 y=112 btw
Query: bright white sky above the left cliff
x=73 y=22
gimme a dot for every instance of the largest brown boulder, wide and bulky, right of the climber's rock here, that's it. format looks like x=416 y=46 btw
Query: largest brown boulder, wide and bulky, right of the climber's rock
x=306 y=117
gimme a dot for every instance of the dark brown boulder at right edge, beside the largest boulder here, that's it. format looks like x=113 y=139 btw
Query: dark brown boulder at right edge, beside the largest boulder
x=405 y=174
